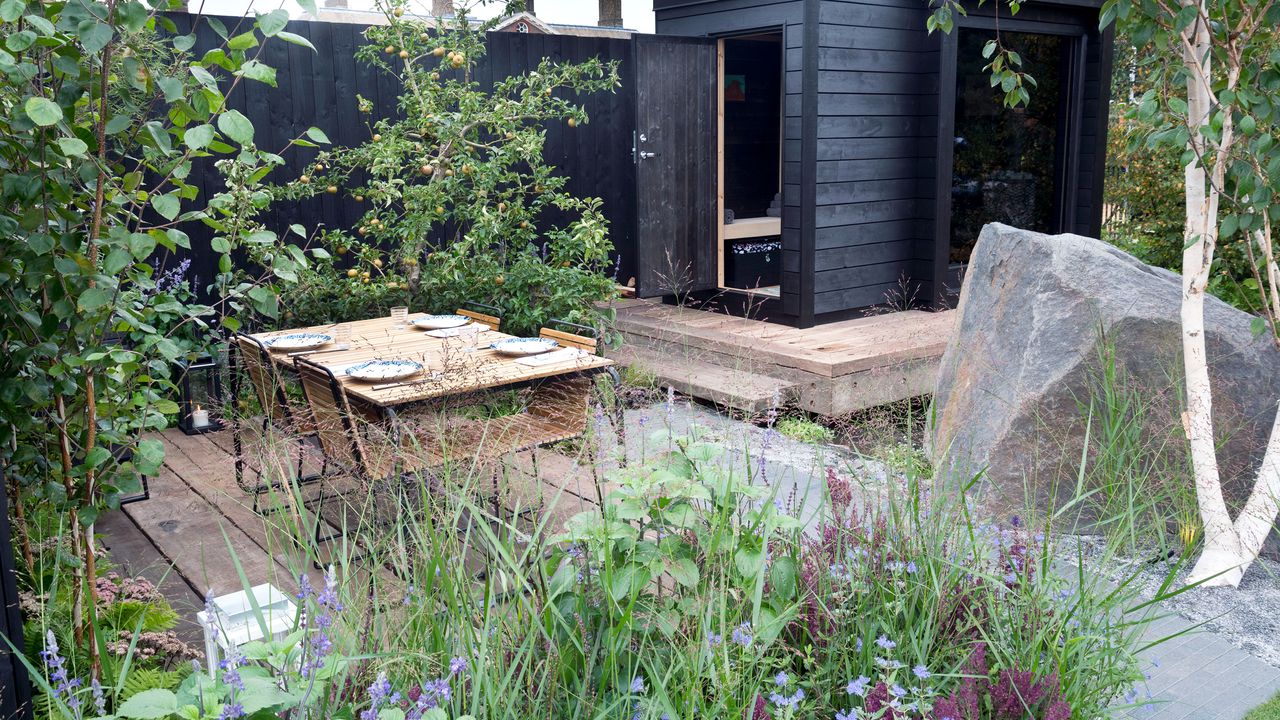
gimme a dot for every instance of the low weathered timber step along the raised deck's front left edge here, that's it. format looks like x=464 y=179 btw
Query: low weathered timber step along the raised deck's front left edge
x=738 y=389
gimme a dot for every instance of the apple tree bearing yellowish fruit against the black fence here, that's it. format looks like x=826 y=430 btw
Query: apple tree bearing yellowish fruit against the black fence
x=461 y=206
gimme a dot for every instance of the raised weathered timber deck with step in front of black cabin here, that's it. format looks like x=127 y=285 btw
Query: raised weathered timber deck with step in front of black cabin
x=830 y=370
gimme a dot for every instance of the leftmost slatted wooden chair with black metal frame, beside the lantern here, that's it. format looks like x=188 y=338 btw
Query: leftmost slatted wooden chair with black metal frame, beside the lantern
x=277 y=411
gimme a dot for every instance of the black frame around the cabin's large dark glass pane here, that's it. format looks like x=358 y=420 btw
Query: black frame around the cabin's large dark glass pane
x=945 y=153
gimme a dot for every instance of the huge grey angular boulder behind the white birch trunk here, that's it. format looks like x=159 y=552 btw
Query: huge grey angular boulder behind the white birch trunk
x=1036 y=316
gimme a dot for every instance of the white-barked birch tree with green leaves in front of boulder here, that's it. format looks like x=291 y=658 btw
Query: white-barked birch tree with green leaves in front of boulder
x=1217 y=69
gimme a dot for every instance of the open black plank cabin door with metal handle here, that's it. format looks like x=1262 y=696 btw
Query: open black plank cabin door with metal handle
x=675 y=157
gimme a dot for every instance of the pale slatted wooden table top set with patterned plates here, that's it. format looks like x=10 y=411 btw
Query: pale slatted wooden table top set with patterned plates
x=455 y=366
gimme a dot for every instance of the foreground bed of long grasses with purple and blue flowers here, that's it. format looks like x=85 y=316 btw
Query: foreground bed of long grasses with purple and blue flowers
x=693 y=591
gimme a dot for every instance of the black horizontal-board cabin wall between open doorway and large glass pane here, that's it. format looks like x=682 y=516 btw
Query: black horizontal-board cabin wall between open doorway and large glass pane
x=877 y=84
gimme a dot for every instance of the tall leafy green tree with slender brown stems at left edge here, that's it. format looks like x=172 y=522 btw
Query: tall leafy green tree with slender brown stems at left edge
x=107 y=112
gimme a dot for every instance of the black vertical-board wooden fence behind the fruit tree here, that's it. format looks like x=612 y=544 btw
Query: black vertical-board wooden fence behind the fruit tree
x=319 y=89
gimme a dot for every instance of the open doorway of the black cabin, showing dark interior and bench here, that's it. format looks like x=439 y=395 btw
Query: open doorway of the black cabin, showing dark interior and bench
x=751 y=163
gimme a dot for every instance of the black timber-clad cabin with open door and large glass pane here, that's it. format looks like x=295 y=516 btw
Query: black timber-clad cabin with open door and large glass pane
x=858 y=154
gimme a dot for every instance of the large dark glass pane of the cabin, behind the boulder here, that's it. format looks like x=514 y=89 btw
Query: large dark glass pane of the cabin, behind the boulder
x=1009 y=162
